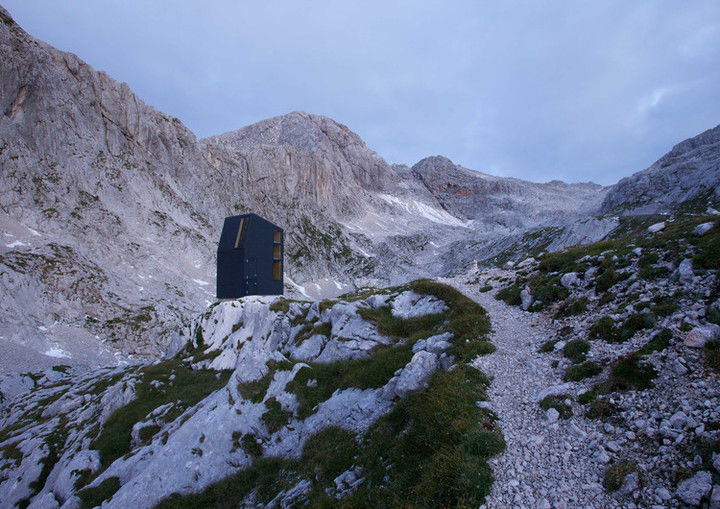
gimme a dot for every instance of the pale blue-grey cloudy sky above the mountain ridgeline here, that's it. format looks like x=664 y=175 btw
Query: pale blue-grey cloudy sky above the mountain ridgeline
x=537 y=90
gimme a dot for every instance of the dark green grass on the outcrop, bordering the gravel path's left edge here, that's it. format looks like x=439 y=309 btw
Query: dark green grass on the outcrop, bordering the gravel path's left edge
x=429 y=451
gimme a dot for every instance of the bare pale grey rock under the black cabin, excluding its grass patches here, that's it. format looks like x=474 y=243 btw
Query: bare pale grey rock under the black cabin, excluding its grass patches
x=244 y=337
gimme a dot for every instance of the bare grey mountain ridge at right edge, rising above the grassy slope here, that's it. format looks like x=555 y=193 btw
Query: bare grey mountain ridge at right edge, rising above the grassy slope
x=688 y=176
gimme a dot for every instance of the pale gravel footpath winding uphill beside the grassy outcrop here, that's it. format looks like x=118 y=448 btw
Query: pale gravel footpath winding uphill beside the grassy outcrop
x=546 y=464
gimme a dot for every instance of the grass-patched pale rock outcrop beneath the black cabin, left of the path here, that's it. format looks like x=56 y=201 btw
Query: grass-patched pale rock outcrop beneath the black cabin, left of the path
x=365 y=400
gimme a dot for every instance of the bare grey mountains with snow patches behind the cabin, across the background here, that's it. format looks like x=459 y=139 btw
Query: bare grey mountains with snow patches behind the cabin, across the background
x=110 y=210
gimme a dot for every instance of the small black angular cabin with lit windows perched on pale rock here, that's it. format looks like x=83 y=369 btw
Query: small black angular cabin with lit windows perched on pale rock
x=250 y=258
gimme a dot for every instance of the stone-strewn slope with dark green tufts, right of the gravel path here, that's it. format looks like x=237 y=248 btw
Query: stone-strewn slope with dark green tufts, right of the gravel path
x=634 y=349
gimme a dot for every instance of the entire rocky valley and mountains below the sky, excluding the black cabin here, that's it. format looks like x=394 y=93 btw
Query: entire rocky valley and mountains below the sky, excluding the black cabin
x=123 y=383
